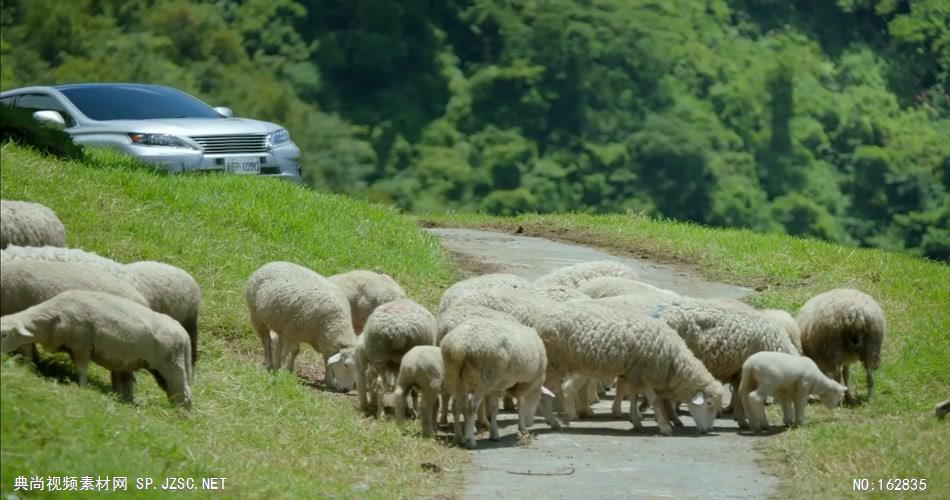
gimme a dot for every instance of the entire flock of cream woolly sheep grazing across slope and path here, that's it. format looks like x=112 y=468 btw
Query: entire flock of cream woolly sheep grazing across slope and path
x=560 y=339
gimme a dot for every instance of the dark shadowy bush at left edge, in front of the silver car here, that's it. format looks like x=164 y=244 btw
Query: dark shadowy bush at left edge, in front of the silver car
x=18 y=125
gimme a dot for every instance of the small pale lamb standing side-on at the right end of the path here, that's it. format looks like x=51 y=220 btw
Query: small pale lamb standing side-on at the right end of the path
x=790 y=378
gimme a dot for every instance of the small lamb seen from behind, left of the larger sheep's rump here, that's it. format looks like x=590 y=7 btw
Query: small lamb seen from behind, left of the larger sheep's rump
x=422 y=371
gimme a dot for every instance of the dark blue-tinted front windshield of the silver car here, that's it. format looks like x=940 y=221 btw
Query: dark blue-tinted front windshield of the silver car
x=117 y=102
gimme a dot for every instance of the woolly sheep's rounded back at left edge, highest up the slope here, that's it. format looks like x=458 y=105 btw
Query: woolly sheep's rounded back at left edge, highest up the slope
x=29 y=224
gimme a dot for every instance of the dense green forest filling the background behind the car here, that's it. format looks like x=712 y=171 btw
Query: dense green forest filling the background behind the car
x=828 y=118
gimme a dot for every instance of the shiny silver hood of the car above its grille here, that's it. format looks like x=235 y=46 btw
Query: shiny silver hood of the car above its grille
x=184 y=126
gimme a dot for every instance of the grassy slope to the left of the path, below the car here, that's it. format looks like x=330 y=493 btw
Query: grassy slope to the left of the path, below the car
x=270 y=436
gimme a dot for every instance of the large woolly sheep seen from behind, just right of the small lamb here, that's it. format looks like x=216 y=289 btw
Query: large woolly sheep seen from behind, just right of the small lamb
x=483 y=358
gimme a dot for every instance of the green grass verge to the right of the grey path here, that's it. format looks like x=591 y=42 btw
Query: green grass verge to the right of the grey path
x=896 y=435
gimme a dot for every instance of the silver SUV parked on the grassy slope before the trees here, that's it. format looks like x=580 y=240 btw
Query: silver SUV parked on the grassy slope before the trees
x=162 y=125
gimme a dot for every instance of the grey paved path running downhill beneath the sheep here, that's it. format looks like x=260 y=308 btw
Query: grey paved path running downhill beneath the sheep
x=601 y=457
